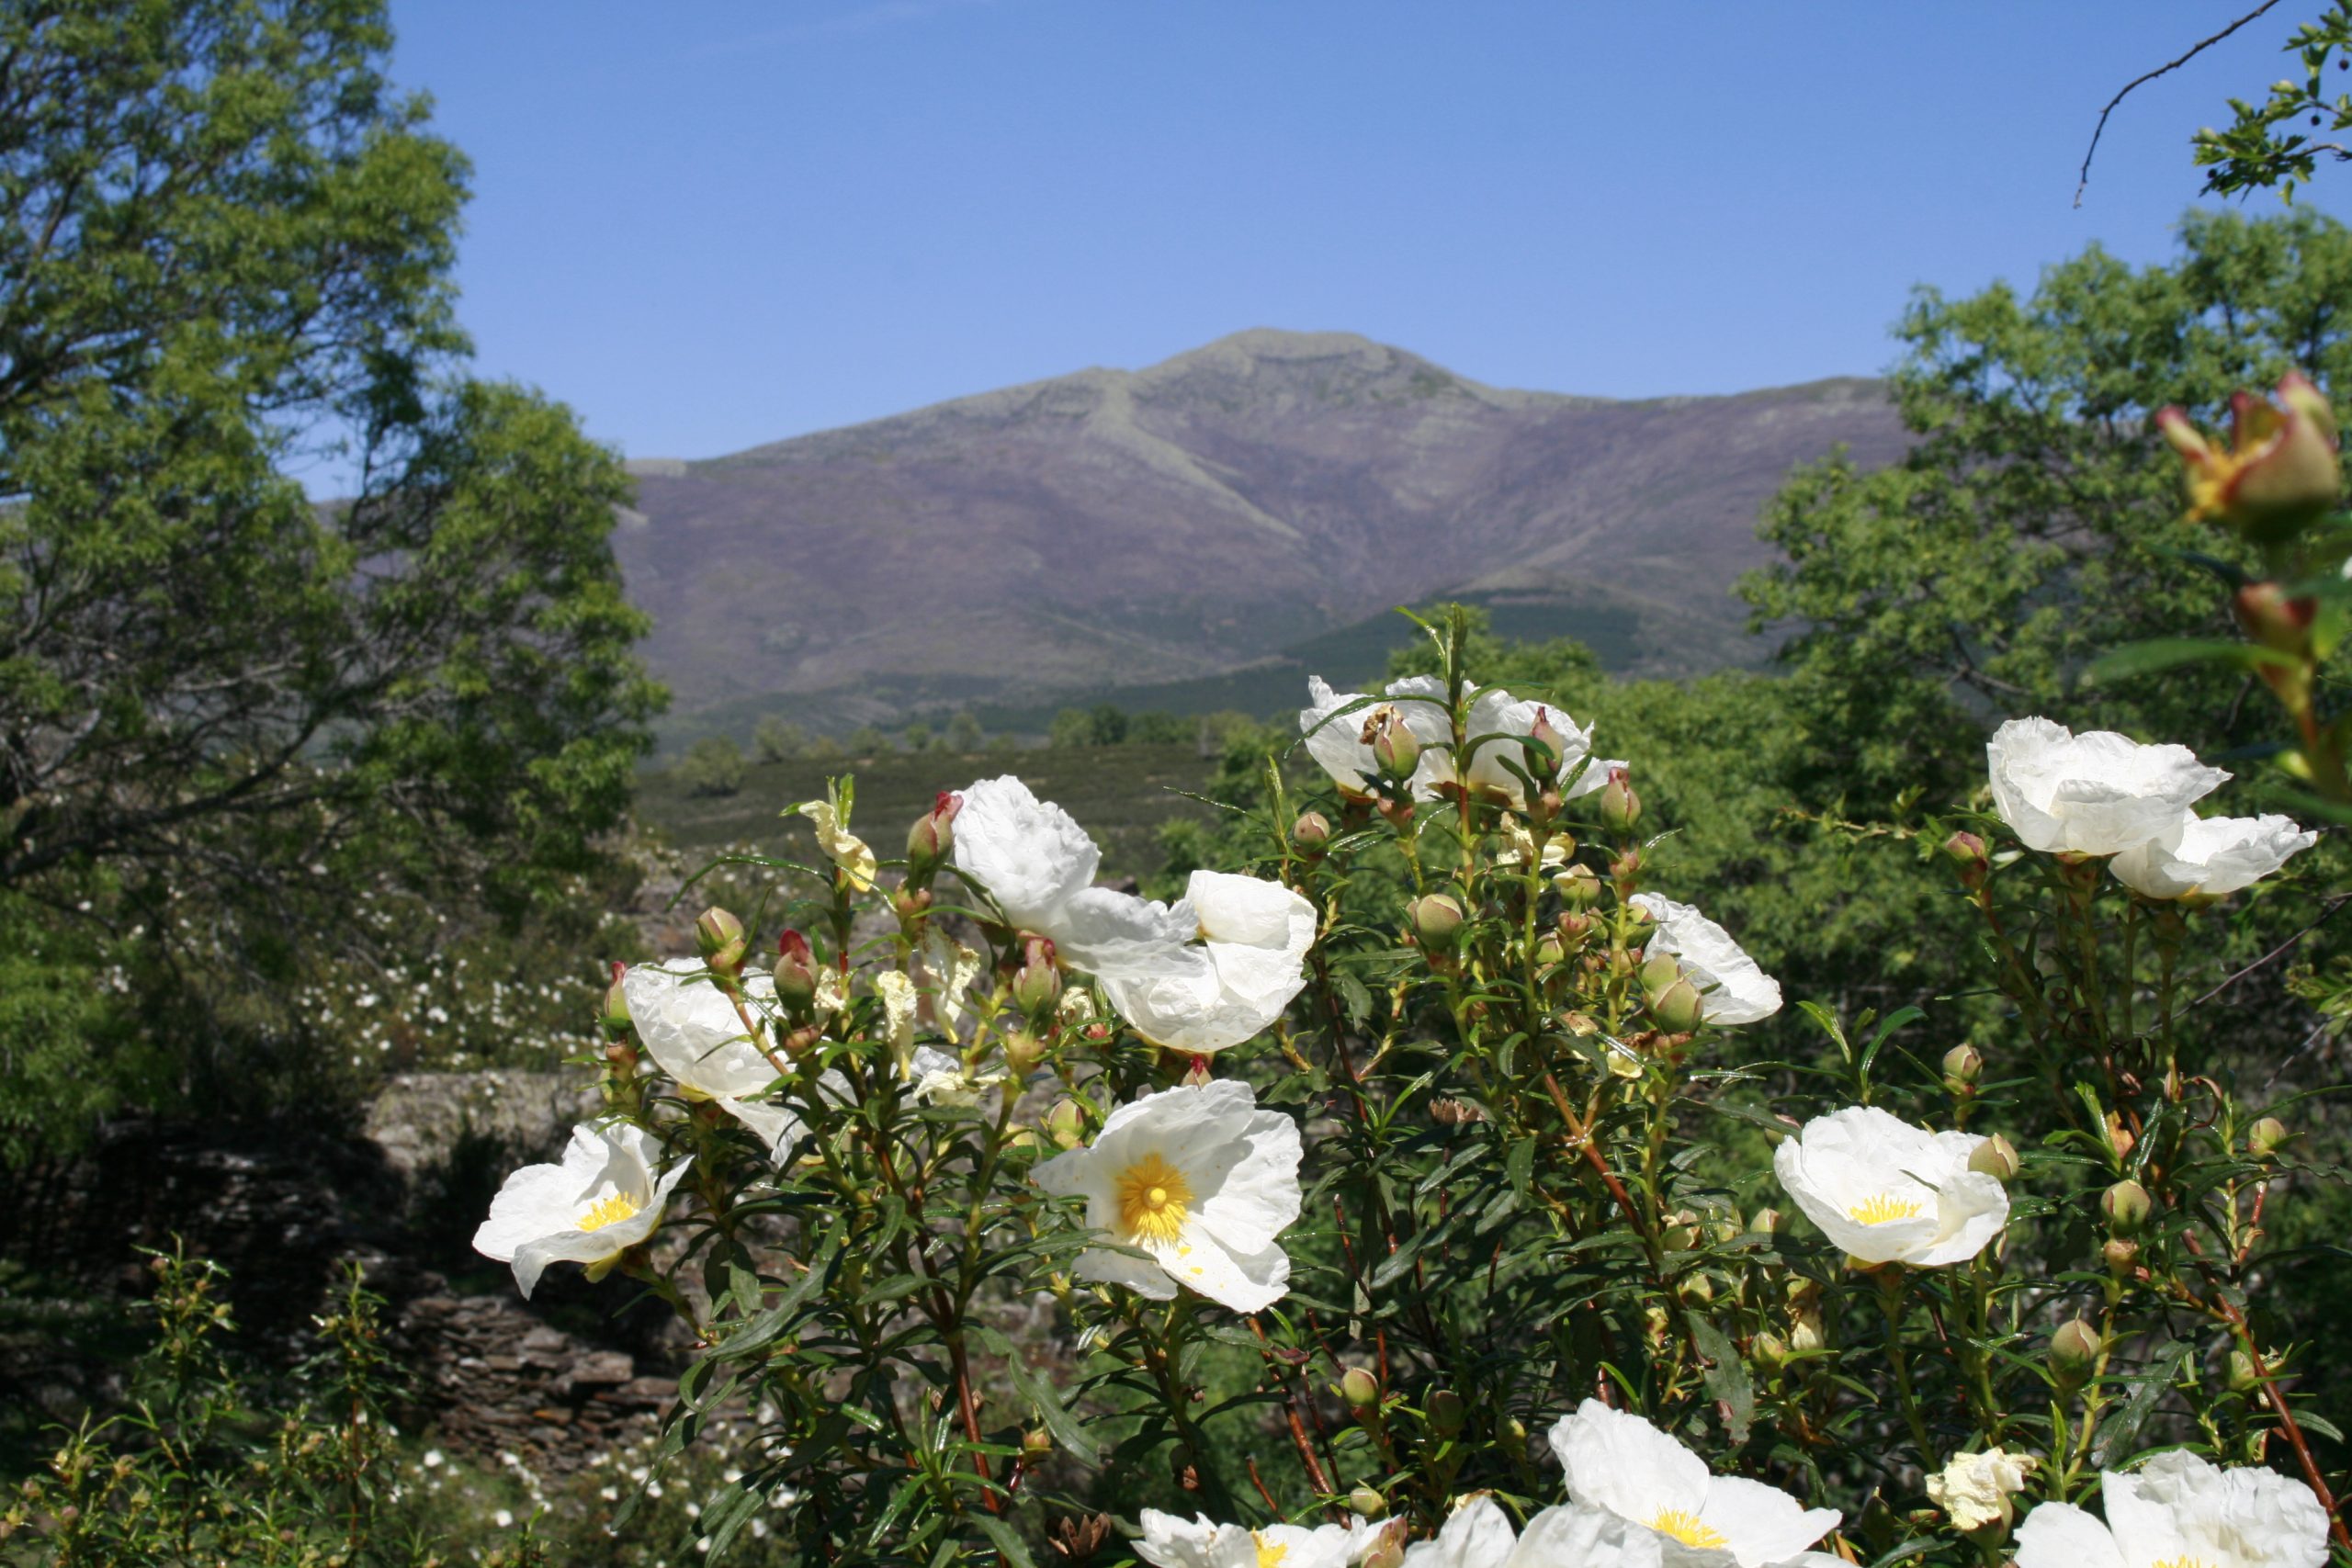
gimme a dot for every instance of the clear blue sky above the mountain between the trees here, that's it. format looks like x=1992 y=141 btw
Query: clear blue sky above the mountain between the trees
x=721 y=225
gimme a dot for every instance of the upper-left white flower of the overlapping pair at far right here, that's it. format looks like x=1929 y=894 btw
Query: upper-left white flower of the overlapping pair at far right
x=2094 y=793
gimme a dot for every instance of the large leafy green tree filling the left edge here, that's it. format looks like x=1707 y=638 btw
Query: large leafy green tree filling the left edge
x=225 y=709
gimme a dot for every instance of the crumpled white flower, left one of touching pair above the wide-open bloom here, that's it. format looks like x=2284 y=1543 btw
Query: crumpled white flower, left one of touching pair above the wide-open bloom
x=1038 y=864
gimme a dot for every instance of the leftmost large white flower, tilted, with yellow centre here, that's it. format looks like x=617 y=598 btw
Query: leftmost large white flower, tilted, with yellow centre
x=594 y=1207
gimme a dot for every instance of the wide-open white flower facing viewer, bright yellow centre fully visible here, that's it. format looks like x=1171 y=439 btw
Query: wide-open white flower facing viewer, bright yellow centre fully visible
x=1198 y=1179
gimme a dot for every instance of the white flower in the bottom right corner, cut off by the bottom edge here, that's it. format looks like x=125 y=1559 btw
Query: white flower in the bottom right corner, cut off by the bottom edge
x=2181 y=1510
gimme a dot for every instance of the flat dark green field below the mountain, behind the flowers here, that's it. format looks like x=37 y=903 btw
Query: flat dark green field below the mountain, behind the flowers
x=1118 y=793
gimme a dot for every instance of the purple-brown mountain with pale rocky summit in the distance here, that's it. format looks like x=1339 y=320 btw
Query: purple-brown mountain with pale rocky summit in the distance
x=1180 y=523
